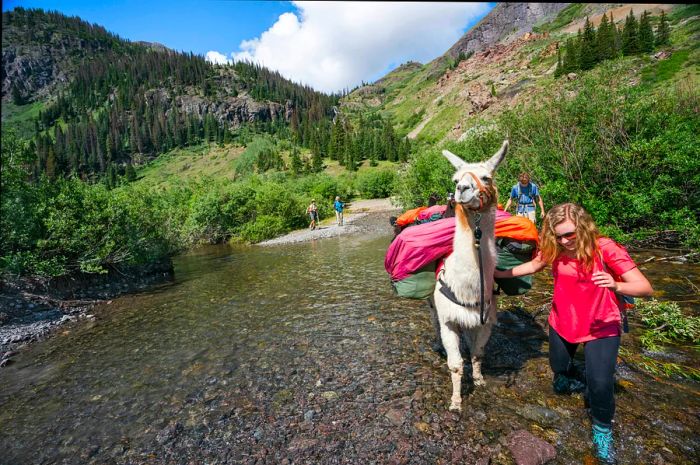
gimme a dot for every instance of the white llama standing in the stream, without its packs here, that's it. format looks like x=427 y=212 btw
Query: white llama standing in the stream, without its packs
x=462 y=293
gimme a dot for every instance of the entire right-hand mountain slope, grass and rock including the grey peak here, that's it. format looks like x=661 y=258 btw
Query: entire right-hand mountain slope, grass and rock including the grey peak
x=446 y=99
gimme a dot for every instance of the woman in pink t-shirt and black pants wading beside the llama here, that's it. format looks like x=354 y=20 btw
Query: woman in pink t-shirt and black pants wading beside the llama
x=591 y=275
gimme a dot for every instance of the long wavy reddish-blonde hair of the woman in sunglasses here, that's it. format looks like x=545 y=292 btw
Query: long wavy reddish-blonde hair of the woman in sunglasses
x=586 y=234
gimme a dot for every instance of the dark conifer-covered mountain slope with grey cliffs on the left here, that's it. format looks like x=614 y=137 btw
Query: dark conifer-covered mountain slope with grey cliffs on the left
x=91 y=100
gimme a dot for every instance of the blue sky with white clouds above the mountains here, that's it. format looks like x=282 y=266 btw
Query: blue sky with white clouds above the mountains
x=328 y=45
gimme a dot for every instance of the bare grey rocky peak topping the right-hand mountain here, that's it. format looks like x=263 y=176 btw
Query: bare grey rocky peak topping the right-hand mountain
x=505 y=21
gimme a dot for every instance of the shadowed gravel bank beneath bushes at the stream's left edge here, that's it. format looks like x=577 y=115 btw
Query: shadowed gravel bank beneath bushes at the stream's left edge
x=32 y=308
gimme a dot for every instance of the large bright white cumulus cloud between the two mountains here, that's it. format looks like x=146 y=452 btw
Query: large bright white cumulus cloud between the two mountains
x=335 y=45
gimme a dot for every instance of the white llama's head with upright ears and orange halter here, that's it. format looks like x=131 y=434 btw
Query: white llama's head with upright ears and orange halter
x=474 y=187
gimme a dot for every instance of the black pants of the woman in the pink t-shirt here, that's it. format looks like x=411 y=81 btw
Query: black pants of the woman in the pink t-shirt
x=601 y=358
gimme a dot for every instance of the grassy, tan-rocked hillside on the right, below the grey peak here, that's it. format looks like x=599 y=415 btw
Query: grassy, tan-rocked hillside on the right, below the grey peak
x=429 y=107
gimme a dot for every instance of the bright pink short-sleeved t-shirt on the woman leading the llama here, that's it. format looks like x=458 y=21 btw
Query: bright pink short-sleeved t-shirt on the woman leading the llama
x=582 y=311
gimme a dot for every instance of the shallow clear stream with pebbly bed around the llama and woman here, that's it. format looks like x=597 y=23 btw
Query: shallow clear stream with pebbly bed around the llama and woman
x=301 y=354
